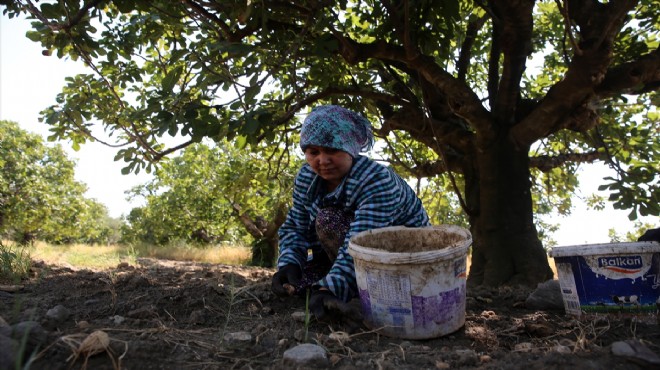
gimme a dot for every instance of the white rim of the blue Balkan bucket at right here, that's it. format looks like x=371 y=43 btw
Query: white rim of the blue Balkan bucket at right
x=604 y=249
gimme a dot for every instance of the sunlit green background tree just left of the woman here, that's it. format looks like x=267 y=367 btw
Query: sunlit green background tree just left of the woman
x=217 y=192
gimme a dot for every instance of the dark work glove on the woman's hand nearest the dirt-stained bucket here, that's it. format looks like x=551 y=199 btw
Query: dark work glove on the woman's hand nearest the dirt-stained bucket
x=328 y=308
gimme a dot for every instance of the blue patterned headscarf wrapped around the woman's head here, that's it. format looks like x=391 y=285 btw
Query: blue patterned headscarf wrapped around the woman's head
x=332 y=126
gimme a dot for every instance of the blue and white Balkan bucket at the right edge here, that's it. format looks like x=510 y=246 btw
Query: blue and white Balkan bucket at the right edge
x=608 y=278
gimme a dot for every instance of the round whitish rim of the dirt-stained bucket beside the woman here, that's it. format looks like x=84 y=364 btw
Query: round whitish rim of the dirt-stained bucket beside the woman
x=376 y=255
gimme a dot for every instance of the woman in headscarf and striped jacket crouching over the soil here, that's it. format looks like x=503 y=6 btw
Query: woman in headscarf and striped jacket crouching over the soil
x=337 y=194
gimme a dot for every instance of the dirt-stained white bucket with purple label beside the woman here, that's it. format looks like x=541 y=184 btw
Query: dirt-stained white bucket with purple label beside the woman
x=412 y=280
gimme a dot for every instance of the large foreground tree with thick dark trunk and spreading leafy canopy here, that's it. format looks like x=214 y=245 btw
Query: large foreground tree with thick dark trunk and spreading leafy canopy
x=504 y=97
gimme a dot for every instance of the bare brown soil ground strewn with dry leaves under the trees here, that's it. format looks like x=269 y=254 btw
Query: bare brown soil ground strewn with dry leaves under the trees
x=176 y=315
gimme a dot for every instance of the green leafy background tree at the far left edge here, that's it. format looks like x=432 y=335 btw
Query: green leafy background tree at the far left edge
x=39 y=197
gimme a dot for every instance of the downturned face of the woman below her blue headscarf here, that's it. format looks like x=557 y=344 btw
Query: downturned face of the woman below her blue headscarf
x=331 y=164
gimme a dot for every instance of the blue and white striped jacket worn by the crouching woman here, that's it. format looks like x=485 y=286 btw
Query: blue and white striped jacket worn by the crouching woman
x=377 y=195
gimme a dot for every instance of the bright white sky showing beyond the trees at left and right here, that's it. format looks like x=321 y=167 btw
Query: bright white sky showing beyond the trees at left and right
x=30 y=82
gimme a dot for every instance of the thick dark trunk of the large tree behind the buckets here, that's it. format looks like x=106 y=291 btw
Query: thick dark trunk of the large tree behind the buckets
x=506 y=247
